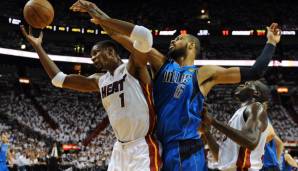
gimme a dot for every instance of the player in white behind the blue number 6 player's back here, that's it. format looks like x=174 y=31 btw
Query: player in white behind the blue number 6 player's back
x=246 y=132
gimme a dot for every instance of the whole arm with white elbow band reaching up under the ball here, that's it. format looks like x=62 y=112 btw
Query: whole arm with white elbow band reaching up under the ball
x=59 y=79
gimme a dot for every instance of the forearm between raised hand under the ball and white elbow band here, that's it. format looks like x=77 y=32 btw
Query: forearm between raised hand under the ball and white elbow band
x=49 y=66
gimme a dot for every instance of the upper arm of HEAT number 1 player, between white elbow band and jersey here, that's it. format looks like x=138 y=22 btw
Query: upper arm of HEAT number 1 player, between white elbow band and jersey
x=81 y=83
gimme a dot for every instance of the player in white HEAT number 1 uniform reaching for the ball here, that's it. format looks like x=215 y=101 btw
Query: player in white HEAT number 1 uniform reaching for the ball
x=126 y=96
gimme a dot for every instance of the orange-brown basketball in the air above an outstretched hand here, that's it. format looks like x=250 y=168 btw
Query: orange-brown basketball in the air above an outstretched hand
x=38 y=13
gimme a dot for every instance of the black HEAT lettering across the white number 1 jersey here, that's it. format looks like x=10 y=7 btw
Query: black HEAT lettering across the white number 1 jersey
x=112 y=88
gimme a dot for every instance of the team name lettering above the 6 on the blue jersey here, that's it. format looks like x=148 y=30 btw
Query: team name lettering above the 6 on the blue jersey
x=176 y=77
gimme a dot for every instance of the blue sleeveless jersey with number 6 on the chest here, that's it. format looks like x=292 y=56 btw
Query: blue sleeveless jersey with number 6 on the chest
x=178 y=102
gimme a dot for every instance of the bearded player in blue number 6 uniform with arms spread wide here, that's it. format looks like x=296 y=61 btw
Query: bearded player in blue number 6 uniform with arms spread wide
x=180 y=89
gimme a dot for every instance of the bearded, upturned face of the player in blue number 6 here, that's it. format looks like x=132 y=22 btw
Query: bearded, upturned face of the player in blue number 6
x=178 y=47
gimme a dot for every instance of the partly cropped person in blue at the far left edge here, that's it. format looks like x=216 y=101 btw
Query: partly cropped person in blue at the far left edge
x=5 y=155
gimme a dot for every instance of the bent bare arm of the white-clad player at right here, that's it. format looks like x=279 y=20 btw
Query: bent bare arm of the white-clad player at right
x=249 y=136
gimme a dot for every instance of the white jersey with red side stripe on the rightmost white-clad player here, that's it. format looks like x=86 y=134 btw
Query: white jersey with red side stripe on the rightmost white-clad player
x=233 y=157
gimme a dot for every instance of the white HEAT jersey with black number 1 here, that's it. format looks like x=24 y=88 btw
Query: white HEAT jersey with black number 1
x=125 y=103
